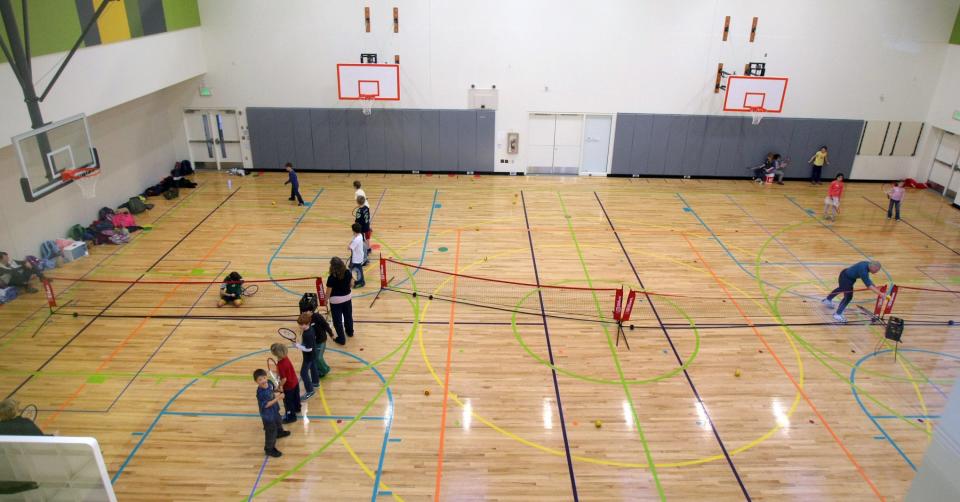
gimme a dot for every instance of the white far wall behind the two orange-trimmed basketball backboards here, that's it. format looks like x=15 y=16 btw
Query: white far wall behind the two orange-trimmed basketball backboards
x=860 y=59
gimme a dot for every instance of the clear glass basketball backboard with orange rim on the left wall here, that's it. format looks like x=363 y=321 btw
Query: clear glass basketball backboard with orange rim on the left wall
x=46 y=152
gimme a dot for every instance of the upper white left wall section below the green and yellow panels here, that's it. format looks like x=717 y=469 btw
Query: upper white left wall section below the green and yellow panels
x=101 y=77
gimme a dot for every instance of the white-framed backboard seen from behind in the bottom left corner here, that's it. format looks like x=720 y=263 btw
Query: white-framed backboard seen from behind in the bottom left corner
x=53 y=468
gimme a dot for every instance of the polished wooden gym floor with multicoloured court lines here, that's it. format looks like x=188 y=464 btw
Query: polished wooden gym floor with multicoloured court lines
x=433 y=399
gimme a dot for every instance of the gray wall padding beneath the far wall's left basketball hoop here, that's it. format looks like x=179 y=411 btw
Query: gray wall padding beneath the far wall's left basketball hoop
x=322 y=139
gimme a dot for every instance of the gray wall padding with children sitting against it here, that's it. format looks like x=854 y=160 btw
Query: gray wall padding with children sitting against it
x=707 y=145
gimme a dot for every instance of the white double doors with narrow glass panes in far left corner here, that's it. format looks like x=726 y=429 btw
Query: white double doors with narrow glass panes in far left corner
x=213 y=137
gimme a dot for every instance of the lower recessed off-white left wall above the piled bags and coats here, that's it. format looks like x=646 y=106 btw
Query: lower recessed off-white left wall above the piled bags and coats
x=138 y=143
